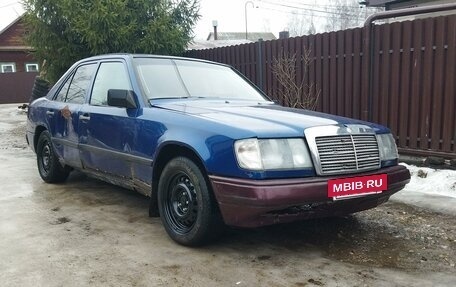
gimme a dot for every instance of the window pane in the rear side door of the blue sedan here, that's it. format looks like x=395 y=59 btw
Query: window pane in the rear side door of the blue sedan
x=80 y=84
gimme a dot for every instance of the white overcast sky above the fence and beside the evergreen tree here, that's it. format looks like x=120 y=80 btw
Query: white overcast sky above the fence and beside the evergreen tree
x=262 y=15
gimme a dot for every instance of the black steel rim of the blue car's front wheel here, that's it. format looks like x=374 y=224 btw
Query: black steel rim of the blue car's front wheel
x=181 y=207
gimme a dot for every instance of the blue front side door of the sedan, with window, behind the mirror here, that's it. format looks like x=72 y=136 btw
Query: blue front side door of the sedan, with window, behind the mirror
x=108 y=134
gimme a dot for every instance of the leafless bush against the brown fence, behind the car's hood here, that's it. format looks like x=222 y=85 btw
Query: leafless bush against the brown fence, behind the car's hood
x=295 y=92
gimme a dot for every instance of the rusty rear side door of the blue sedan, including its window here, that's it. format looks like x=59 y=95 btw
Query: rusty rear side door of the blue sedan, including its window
x=62 y=113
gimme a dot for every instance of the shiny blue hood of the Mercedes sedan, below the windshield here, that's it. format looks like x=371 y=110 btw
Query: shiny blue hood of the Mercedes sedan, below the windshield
x=264 y=119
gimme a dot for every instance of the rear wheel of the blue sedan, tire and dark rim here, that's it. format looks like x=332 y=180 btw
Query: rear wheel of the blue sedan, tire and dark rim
x=49 y=167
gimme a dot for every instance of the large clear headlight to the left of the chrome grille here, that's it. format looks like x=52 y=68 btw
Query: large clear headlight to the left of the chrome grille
x=268 y=154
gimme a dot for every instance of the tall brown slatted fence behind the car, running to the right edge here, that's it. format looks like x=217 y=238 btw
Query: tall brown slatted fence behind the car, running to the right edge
x=408 y=84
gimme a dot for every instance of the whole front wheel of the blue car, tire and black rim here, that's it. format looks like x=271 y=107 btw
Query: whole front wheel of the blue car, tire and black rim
x=186 y=204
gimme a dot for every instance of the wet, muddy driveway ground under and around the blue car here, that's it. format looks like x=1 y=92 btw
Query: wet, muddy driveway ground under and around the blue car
x=86 y=232
